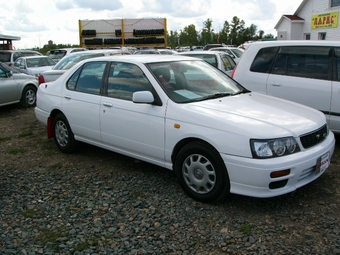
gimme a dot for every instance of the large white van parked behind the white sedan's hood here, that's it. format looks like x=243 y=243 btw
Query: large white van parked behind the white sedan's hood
x=306 y=72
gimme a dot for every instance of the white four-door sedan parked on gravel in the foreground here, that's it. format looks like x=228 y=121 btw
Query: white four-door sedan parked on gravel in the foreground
x=185 y=115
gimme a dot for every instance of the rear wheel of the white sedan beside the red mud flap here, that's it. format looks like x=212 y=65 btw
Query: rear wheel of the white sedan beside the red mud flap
x=63 y=135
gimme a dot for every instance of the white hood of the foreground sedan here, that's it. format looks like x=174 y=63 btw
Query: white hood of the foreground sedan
x=252 y=114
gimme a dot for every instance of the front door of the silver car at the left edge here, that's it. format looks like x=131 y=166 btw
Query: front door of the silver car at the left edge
x=8 y=88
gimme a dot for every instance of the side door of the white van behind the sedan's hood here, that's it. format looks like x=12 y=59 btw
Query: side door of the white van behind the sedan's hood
x=302 y=75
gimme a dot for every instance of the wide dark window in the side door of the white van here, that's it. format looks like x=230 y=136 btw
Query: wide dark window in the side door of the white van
x=308 y=62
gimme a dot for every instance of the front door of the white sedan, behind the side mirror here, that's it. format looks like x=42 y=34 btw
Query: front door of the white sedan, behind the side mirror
x=133 y=129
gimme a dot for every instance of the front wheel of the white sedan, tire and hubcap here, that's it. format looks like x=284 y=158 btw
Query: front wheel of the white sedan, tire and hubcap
x=202 y=173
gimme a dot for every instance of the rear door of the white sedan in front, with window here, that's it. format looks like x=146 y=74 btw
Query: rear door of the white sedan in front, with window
x=81 y=101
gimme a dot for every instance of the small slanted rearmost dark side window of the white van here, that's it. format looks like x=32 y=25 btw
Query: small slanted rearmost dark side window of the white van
x=264 y=60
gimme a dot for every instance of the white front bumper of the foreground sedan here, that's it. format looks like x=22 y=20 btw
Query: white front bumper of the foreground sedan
x=251 y=177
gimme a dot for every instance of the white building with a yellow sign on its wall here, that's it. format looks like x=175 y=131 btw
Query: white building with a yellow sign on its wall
x=313 y=20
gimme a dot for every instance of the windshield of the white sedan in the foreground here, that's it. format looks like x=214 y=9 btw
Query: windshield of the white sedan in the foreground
x=192 y=81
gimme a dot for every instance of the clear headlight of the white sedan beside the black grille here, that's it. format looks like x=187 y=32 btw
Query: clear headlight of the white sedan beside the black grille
x=270 y=148
